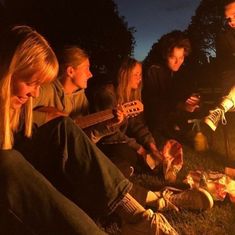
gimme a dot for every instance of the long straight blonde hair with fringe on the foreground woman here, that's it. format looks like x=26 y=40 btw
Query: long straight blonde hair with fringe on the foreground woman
x=23 y=53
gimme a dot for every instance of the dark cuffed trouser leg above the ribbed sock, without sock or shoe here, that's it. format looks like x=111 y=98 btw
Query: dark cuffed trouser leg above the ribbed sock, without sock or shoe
x=75 y=166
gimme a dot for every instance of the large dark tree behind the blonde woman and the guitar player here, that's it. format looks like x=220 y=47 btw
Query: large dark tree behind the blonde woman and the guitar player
x=94 y=25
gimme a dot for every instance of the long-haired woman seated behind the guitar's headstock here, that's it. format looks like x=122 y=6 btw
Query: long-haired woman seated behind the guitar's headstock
x=132 y=142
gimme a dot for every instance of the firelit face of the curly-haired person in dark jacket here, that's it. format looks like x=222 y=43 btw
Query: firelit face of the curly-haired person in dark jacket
x=175 y=59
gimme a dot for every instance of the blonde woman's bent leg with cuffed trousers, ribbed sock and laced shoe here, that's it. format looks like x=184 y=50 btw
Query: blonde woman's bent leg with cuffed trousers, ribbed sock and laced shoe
x=65 y=154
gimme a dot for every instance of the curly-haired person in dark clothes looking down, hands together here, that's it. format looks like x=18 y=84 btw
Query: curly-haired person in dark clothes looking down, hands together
x=168 y=96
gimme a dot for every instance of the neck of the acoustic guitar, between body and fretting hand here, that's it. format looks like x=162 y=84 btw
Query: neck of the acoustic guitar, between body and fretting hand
x=94 y=118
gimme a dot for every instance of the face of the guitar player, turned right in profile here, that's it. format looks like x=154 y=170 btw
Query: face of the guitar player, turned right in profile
x=80 y=74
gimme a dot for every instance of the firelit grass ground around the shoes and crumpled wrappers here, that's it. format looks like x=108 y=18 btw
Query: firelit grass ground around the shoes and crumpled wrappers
x=220 y=220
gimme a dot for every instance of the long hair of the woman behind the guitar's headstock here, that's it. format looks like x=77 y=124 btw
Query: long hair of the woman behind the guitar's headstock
x=124 y=92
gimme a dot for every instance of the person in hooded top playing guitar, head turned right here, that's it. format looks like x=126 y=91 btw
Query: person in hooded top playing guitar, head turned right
x=66 y=95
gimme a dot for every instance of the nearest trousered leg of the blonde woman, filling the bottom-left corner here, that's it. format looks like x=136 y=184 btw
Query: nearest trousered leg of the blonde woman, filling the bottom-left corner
x=29 y=199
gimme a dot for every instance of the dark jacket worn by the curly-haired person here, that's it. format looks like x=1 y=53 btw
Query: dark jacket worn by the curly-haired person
x=163 y=90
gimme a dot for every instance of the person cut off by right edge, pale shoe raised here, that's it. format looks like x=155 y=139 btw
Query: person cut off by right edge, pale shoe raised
x=225 y=51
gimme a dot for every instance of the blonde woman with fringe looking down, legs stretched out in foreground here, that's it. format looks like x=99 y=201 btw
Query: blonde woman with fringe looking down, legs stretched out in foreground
x=60 y=151
